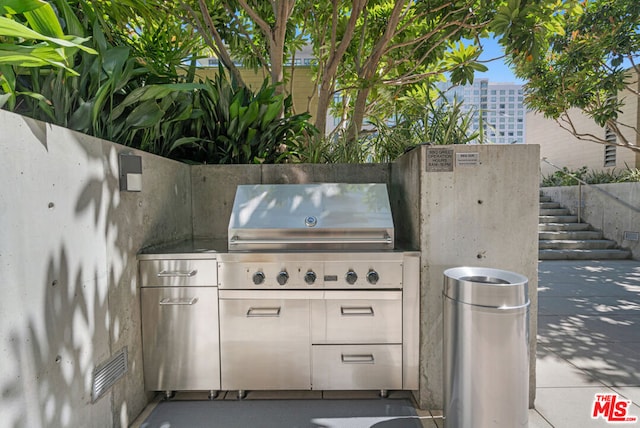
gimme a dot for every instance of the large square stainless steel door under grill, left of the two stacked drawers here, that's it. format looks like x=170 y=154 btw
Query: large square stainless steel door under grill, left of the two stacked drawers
x=265 y=344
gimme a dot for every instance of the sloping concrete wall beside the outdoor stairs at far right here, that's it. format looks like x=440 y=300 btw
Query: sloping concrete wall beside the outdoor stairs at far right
x=612 y=208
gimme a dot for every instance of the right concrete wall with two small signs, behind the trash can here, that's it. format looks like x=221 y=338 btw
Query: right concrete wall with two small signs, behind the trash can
x=481 y=214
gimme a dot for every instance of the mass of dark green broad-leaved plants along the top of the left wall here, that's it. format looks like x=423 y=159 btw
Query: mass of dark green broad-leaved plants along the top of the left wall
x=116 y=96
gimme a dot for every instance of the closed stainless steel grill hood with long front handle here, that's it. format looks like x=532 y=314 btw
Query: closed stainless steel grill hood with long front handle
x=323 y=216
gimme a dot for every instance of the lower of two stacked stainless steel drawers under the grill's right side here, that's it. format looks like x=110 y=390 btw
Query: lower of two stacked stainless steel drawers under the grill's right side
x=357 y=367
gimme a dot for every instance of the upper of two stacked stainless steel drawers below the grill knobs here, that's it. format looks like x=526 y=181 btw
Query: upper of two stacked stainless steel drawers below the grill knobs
x=357 y=317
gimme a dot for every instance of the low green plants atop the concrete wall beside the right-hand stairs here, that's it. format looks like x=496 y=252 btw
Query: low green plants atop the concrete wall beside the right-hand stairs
x=567 y=177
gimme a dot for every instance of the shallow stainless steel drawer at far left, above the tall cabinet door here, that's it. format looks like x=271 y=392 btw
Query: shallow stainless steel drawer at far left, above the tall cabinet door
x=177 y=272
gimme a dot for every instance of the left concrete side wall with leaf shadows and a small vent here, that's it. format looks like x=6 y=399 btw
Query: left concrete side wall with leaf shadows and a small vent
x=68 y=240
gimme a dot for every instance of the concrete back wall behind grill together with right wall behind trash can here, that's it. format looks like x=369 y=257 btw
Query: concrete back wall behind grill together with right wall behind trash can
x=478 y=215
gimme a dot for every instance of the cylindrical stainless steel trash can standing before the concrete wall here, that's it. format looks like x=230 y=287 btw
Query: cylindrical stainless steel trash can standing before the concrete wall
x=486 y=348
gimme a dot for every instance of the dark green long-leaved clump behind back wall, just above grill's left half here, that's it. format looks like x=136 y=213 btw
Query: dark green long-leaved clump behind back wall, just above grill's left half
x=238 y=126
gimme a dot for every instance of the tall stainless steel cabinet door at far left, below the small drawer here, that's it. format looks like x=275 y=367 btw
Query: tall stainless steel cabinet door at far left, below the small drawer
x=180 y=338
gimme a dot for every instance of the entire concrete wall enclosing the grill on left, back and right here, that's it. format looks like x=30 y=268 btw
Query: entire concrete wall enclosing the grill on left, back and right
x=69 y=240
